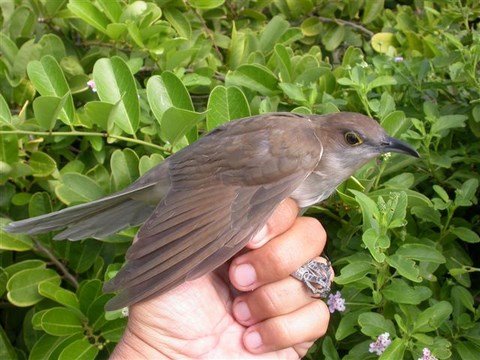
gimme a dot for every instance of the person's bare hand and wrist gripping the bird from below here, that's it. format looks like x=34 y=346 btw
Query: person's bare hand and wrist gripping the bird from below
x=269 y=315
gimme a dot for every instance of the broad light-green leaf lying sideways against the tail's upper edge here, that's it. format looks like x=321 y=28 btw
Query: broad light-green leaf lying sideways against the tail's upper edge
x=77 y=188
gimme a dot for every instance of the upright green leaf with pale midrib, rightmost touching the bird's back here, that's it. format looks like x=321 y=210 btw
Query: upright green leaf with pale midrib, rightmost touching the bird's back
x=226 y=104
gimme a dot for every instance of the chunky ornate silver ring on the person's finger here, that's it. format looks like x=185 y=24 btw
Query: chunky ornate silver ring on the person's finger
x=316 y=275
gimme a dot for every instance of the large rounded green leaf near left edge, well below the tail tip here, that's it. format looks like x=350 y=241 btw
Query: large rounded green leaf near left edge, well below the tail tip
x=23 y=286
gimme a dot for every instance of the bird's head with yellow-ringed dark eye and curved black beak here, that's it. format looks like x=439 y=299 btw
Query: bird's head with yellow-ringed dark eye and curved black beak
x=350 y=140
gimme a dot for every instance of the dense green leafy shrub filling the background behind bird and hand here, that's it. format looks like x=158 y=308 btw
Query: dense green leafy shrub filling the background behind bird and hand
x=403 y=234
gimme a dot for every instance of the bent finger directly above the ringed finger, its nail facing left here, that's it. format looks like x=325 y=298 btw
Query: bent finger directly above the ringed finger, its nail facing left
x=279 y=257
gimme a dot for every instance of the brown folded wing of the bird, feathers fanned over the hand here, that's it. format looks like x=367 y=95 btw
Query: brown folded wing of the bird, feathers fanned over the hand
x=223 y=190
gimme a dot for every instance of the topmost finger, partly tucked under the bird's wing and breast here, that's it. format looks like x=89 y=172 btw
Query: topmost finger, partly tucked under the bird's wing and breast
x=281 y=220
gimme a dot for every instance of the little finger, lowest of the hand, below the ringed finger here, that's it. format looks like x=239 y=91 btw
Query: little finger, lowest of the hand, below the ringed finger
x=304 y=325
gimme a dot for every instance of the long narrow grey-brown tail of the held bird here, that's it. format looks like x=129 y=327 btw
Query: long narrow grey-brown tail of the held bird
x=96 y=219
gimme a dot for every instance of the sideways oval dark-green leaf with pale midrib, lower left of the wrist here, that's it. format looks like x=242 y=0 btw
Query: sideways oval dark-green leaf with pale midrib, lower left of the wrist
x=61 y=321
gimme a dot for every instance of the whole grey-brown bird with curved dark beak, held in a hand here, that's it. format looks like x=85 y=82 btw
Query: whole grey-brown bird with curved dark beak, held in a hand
x=202 y=205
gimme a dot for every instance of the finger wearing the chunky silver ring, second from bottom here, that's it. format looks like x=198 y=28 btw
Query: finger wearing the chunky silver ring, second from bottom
x=271 y=300
